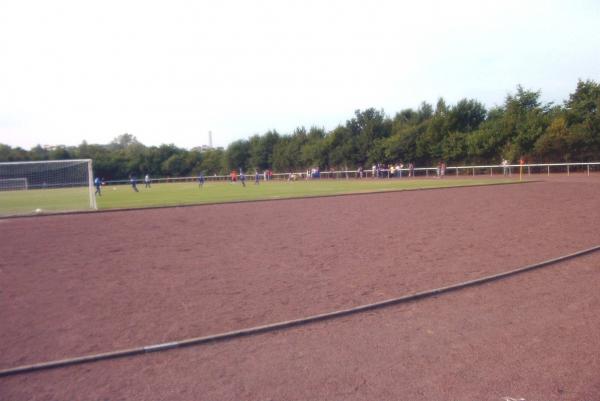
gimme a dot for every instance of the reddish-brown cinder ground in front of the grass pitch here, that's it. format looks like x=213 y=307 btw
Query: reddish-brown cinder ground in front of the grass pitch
x=80 y=284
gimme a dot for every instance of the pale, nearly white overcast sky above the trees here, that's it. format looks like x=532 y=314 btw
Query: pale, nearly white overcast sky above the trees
x=170 y=71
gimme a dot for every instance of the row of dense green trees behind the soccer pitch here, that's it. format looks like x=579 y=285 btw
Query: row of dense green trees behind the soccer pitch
x=463 y=133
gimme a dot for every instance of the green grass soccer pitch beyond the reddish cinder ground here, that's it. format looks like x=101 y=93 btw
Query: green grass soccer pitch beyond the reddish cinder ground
x=173 y=194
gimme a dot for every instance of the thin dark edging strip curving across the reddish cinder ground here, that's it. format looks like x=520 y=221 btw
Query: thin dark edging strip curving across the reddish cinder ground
x=286 y=324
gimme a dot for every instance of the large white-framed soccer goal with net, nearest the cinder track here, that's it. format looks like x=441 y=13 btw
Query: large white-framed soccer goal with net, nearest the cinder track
x=46 y=187
